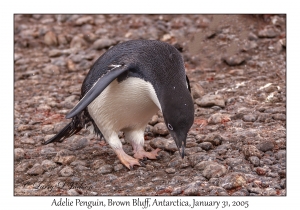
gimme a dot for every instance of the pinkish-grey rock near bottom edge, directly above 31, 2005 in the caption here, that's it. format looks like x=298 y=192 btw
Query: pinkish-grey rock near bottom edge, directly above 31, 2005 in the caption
x=232 y=180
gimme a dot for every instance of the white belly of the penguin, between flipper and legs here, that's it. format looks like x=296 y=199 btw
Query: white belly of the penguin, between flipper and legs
x=126 y=105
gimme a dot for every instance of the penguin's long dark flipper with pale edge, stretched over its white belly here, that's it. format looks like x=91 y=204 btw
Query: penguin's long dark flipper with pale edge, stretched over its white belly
x=97 y=88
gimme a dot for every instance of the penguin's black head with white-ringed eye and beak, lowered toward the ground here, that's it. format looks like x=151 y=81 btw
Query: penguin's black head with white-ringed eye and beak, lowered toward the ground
x=178 y=111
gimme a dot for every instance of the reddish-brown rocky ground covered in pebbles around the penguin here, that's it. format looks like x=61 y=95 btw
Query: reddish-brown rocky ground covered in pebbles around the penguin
x=237 y=145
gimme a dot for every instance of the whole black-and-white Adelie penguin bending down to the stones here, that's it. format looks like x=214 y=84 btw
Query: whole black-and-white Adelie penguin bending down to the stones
x=124 y=88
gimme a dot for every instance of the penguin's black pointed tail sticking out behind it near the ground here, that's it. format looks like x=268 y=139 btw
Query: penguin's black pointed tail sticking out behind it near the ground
x=66 y=132
